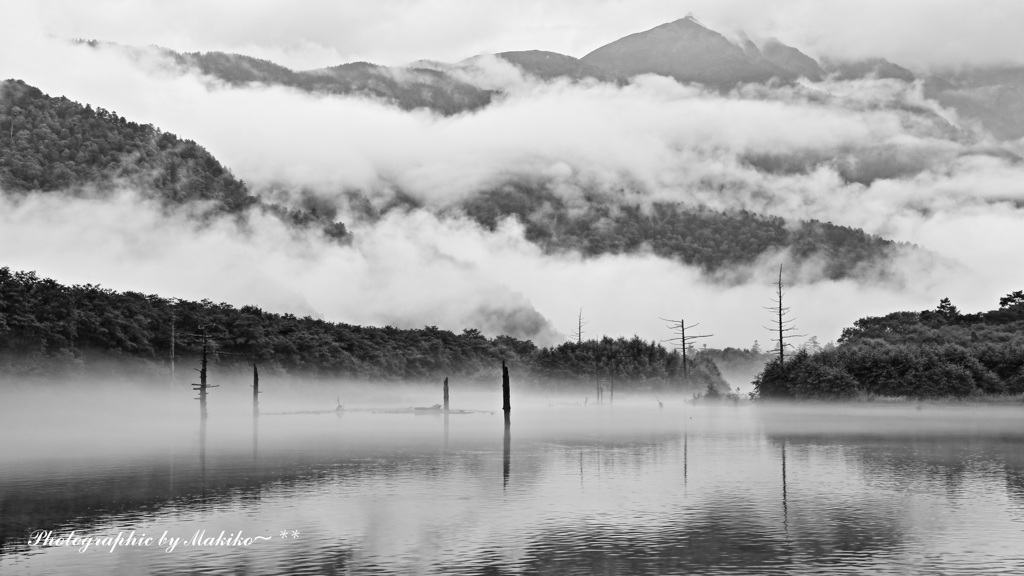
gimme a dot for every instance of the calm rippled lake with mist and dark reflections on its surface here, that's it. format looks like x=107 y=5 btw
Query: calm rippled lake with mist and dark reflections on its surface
x=570 y=489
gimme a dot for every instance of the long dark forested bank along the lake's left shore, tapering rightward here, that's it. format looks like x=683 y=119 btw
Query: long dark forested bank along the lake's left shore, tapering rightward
x=48 y=328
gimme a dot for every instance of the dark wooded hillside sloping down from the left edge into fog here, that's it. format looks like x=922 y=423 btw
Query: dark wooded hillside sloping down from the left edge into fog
x=54 y=144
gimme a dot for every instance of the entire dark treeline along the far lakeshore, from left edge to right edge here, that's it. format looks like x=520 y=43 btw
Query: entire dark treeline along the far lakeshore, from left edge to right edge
x=51 y=331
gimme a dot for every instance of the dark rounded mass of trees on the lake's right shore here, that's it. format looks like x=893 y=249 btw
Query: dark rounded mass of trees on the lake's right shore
x=931 y=354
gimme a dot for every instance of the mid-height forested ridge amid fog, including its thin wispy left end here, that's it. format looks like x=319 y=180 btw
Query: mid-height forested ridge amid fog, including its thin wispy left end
x=730 y=246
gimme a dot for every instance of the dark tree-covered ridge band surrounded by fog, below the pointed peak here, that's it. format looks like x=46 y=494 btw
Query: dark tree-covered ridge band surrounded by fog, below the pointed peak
x=698 y=236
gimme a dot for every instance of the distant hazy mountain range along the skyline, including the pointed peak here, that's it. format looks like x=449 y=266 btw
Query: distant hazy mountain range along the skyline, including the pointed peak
x=685 y=51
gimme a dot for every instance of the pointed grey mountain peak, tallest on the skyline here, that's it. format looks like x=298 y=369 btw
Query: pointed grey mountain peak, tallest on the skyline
x=688 y=52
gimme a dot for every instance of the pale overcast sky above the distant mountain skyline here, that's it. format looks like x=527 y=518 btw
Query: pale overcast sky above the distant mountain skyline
x=316 y=33
